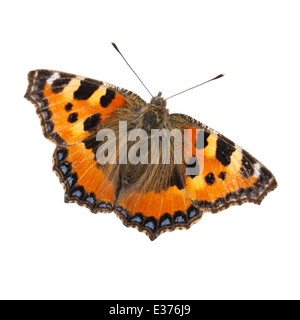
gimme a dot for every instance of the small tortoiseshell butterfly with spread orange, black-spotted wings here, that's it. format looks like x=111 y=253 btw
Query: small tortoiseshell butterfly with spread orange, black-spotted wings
x=154 y=198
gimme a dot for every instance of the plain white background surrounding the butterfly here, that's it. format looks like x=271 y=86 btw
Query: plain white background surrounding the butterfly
x=53 y=250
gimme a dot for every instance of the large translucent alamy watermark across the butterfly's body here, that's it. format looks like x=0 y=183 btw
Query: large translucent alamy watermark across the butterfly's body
x=187 y=147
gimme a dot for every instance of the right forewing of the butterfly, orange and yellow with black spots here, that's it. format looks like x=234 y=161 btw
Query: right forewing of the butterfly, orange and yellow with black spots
x=229 y=175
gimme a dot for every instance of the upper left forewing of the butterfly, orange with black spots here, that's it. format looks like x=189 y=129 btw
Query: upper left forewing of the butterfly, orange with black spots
x=72 y=107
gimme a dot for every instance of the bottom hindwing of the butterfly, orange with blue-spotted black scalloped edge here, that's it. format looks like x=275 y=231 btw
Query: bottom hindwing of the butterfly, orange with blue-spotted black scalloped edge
x=157 y=212
